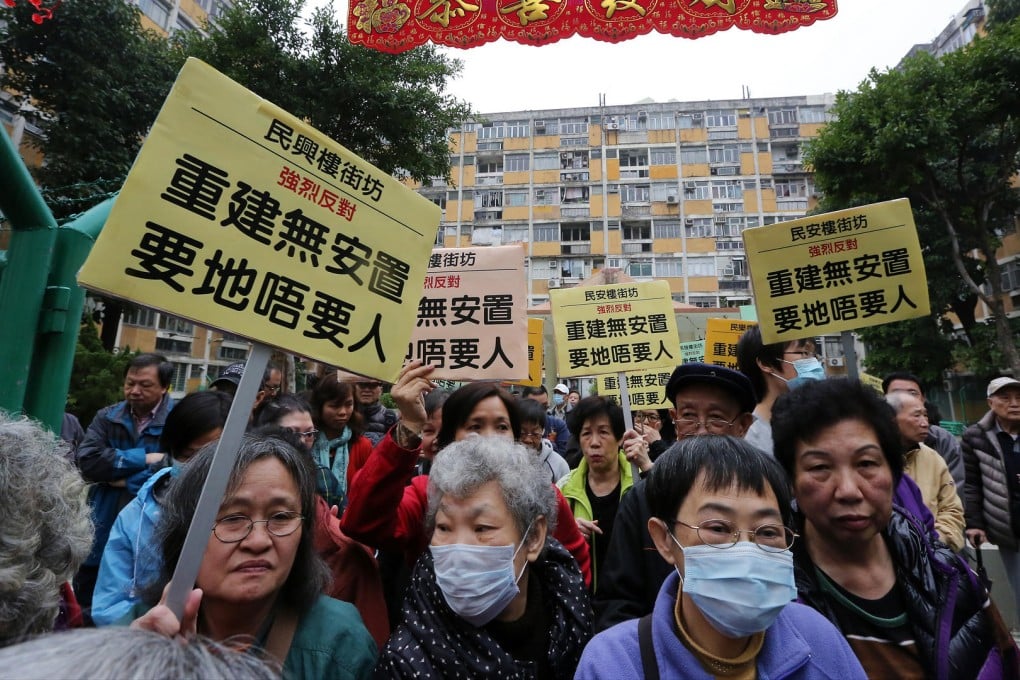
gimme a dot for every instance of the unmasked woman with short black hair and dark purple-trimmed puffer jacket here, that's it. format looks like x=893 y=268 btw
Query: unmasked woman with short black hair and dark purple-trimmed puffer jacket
x=909 y=607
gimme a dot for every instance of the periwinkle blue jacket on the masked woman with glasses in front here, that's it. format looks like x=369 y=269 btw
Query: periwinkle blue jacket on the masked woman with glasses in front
x=800 y=645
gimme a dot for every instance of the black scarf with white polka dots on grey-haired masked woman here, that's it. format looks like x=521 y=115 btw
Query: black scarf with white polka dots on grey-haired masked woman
x=432 y=642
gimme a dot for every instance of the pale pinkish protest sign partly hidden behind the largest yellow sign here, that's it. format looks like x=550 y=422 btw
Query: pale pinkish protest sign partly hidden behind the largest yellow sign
x=473 y=316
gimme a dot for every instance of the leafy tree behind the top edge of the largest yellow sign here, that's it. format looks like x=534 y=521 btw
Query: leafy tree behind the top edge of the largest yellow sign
x=391 y=110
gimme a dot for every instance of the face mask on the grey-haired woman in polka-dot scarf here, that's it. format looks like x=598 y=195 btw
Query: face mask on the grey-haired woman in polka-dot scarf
x=478 y=582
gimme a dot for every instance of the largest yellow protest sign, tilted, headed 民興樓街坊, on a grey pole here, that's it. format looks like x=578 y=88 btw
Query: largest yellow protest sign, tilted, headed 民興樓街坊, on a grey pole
x=240 y=217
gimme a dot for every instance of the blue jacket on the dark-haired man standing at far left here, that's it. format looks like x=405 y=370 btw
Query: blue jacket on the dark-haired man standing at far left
x=114 y=451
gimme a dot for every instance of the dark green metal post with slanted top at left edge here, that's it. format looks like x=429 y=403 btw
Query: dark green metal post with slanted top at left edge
x=24 y=282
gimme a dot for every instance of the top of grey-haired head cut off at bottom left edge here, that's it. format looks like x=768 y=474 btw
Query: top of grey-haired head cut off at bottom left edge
x=129 y=653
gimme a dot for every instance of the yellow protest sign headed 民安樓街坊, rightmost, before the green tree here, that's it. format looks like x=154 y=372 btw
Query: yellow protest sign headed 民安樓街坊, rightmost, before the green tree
x=838 y=272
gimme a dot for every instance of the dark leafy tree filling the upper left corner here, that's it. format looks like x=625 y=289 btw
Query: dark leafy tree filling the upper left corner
x=93 y=81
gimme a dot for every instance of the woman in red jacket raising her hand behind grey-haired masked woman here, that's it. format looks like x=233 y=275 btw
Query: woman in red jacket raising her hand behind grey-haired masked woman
x=387 y=512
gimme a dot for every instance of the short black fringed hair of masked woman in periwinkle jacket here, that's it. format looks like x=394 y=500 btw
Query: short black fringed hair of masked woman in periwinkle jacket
x=725 y=461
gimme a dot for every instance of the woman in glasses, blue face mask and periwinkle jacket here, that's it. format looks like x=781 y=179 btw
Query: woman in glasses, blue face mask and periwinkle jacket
x=720 y=515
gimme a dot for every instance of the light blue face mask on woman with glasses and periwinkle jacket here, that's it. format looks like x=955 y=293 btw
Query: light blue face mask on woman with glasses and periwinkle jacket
x=741 y=591
